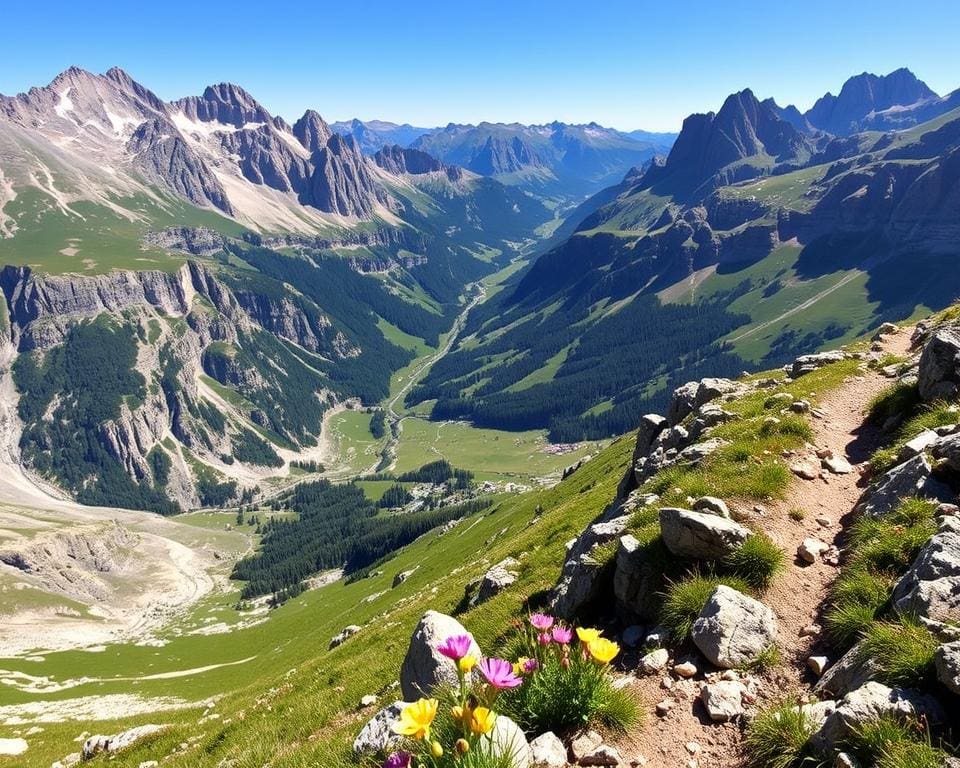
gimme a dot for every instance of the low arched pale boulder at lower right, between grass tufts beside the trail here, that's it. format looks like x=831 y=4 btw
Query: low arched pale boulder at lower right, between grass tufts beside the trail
x=870 y=702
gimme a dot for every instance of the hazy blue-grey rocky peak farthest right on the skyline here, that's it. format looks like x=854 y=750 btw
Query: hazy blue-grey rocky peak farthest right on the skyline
x=863 y=95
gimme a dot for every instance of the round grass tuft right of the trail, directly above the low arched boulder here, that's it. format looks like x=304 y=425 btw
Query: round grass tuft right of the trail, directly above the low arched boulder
x=902 y=652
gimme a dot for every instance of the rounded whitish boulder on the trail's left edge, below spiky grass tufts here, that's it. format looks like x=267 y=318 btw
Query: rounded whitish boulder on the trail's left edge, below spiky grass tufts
x=733 y=630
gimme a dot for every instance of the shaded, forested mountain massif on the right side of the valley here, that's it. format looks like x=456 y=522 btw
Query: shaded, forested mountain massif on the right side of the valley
x=760 y=236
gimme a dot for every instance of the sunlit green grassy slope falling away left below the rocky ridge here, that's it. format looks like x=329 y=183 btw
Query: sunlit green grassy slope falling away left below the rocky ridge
x=297 y=699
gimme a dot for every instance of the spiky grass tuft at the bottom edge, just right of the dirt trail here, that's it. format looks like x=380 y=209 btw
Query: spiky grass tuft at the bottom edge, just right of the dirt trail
x=780 y=738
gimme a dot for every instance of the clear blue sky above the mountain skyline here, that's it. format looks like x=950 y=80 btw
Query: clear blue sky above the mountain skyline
x=626 y=64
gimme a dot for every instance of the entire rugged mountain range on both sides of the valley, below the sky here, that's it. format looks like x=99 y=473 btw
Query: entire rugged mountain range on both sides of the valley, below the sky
x=246 y=274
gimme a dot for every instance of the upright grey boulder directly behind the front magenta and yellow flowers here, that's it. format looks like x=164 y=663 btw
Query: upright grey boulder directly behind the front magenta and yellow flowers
x=424 y=667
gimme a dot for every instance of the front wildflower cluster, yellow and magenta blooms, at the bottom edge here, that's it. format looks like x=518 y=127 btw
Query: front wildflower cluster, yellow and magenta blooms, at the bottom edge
x=468 y=741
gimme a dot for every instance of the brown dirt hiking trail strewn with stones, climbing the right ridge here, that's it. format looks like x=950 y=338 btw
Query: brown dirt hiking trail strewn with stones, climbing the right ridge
x=686 y=737
